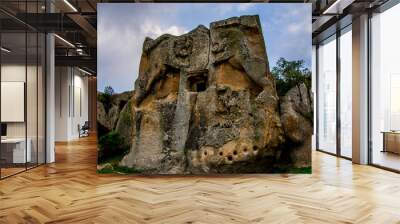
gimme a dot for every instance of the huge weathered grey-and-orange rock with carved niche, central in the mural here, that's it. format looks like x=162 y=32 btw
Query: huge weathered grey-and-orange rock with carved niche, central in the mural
x=204 y=102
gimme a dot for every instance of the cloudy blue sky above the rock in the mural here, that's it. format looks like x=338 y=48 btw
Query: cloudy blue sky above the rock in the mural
x=122 y=28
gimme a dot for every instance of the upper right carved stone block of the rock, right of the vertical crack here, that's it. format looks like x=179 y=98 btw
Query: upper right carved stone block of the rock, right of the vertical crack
x=239 y=41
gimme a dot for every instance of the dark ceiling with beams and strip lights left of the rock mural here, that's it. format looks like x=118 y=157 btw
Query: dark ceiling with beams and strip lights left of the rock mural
x=74 y=22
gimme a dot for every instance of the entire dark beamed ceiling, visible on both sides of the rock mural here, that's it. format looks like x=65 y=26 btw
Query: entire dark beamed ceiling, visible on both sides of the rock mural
x=75 y=22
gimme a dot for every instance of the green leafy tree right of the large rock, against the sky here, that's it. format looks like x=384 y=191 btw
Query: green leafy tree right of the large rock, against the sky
x=288 y=74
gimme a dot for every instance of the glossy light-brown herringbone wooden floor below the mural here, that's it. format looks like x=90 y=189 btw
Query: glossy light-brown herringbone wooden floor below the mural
x=70 y=191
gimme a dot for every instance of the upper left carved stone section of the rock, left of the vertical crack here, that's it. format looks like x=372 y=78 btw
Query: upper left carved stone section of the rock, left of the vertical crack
x=189 y=51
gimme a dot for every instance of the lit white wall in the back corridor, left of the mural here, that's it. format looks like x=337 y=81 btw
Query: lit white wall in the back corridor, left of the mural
x=71 y=94
